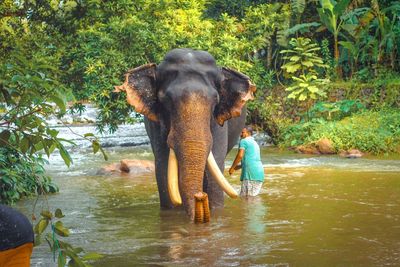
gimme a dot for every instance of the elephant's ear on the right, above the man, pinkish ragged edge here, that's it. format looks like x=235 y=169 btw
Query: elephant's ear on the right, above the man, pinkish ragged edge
x=236 y=89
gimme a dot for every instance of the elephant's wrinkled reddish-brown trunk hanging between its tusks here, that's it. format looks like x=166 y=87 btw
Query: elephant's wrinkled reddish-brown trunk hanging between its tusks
x=191 y=140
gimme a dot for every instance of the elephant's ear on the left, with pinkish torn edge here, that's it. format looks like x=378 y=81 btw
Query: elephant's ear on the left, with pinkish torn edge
x=140 y=90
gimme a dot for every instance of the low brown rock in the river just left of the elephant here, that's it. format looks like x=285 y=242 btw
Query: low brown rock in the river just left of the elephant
x=131 y=167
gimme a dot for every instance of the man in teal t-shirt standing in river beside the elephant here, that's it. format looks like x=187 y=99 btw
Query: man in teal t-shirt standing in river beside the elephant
x=252 y=176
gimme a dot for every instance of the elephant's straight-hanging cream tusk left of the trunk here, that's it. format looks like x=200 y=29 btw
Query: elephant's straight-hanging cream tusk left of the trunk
x=173 y=186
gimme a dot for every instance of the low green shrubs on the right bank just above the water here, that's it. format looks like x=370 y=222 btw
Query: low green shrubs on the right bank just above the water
x=369 y=131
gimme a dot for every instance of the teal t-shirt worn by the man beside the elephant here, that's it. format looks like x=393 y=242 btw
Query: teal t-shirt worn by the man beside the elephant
x=252 y=168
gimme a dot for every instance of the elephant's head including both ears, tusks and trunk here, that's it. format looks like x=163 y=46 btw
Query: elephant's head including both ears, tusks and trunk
x=187 y=93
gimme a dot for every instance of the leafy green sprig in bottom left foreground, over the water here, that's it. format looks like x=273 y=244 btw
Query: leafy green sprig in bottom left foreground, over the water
x=62 y=250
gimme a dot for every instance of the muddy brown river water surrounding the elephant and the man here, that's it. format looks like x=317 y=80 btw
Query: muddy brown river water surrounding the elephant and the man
x=312 y=211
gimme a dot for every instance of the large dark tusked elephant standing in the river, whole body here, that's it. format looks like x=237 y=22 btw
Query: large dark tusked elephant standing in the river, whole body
x=186 y=100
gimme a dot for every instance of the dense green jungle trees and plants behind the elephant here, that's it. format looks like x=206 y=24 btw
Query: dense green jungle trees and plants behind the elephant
x=323 y=69
